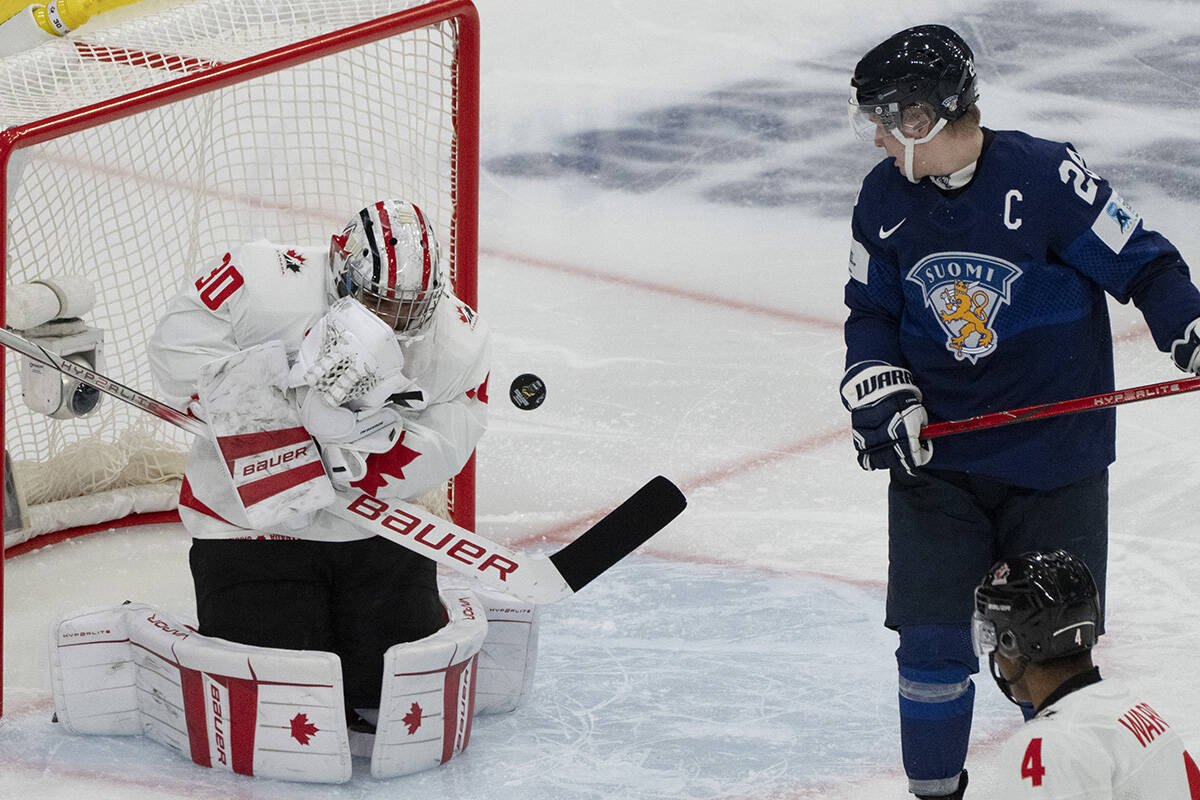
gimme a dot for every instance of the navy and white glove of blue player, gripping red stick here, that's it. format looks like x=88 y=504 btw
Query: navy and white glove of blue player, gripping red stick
x=885 y=408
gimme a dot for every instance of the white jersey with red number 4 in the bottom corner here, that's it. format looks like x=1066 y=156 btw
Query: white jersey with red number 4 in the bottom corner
x=1099 y=743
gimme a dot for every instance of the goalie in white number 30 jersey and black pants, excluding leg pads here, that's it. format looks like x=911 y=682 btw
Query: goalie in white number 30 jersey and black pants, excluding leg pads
x=363 y=348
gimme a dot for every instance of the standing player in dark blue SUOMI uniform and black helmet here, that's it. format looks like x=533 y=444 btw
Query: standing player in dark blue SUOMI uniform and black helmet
x=980 y=267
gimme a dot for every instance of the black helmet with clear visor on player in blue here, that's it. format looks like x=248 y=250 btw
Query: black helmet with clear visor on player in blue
x=928 y=67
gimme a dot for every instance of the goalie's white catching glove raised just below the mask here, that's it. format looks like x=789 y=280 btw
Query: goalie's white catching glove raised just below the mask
x=352 y=358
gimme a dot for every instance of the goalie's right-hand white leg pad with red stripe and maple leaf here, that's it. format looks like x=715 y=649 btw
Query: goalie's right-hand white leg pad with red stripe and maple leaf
x=429 y=693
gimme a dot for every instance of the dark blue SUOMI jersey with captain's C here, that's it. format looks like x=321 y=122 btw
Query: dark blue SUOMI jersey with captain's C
x=994 y=297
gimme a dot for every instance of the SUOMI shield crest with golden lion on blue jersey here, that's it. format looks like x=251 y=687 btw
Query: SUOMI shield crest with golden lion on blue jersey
x=967 y=292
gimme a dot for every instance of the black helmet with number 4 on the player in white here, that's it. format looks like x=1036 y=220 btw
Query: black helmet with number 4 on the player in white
x=1036 y=607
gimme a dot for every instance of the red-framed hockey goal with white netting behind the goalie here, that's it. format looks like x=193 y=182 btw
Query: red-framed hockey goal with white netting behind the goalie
x=140 y=148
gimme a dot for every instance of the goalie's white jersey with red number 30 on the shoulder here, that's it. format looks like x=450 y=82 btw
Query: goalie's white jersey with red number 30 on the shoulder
x=263 y=292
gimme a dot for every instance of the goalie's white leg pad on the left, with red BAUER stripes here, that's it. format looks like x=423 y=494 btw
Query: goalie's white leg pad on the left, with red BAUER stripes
x=134 y=670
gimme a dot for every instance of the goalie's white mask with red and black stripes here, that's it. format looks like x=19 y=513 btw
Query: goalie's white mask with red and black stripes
x=388 y=258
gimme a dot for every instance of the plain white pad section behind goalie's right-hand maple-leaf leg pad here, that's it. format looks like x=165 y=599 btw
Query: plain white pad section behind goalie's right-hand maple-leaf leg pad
x=509 y=655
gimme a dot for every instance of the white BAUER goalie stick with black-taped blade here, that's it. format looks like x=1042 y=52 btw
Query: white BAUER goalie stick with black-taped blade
x=537 y=580
